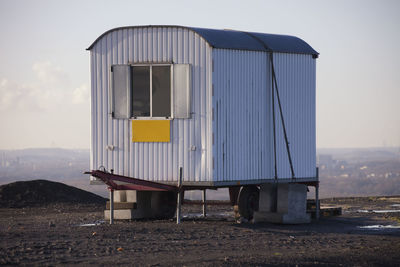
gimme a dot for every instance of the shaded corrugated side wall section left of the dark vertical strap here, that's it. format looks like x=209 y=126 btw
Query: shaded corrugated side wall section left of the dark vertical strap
x=242 y=128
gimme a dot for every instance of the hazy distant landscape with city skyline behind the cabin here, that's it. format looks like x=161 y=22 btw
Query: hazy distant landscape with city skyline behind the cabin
x=343 y=172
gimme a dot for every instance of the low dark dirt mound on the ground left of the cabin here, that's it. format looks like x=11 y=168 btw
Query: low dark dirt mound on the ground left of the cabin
x=43 y=192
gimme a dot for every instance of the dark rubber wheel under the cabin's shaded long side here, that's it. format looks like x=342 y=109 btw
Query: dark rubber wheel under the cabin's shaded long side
x=248 y=201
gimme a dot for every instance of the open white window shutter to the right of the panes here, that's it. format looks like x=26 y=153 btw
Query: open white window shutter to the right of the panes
x=181 y=91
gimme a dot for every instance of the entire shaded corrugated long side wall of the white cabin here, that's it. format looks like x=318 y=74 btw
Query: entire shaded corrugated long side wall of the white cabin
x=242 y=121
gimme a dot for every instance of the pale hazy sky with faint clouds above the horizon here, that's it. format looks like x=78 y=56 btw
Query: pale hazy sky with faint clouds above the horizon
x=44 y=67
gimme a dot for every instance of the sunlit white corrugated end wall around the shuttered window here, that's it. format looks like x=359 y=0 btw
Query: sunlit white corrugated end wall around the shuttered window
x=153 y=161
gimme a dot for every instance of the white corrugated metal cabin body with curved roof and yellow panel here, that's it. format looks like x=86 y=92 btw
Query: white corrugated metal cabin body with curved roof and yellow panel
x=228 y=107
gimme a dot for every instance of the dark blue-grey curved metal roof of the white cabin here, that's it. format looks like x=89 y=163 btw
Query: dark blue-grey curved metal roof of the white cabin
x=231 y=39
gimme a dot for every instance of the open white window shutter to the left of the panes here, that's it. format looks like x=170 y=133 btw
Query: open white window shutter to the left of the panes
x=120 y=91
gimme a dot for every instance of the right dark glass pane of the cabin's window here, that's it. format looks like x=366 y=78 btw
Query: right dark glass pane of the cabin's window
x=161 y=91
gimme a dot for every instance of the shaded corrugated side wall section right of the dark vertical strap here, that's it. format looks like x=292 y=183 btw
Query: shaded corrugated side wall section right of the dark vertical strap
x=295 y=75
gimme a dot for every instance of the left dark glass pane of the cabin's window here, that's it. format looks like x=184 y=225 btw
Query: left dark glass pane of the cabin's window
x=140 y=91
